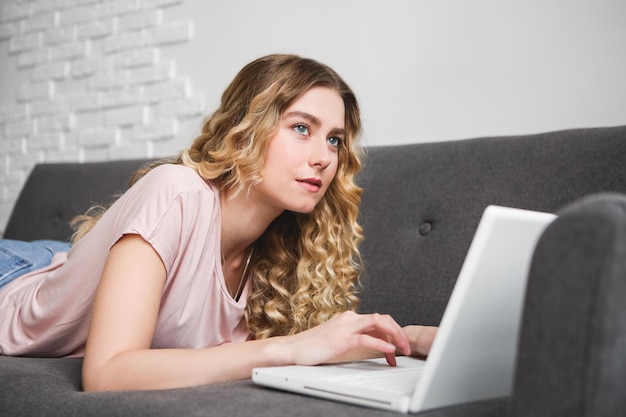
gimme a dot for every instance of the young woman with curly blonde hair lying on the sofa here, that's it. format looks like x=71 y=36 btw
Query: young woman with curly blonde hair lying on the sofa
x=241 y=252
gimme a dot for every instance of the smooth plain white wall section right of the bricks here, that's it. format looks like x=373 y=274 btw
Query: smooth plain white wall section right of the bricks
x=429 y=70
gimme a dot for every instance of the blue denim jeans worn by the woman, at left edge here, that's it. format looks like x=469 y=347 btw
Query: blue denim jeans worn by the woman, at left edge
x=18 y=258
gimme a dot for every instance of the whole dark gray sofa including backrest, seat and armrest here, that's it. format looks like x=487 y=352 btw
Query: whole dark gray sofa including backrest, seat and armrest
x=421 y=205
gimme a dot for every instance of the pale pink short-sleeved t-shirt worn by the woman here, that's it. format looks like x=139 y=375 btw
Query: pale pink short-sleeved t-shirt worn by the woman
x=47 y=312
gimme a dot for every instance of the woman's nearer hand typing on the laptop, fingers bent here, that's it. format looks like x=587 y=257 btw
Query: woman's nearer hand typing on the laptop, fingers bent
x=348 y=336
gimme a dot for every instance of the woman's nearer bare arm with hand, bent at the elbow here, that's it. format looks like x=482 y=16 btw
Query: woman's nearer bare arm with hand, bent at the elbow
x=118 y=354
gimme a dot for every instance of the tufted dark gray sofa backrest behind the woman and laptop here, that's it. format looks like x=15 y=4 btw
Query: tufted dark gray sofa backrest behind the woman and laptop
x=421 y=203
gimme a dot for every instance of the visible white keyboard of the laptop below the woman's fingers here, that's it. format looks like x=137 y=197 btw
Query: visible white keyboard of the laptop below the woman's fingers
x=398 y=380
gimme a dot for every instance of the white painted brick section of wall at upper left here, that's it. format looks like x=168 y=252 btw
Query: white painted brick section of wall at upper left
x=96 y=88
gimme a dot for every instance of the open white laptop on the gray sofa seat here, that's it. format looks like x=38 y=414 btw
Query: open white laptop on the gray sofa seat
x=474 y=353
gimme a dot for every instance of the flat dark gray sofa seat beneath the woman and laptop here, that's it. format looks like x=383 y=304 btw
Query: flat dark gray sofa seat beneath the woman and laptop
x=48 y=388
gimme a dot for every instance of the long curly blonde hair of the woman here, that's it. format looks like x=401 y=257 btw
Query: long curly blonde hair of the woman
x=305 y=267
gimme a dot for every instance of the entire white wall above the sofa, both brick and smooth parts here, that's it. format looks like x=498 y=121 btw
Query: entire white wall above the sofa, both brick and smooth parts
x=424 y=70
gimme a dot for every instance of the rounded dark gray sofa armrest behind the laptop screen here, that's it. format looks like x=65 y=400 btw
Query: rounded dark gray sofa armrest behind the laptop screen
x=572 y=353
